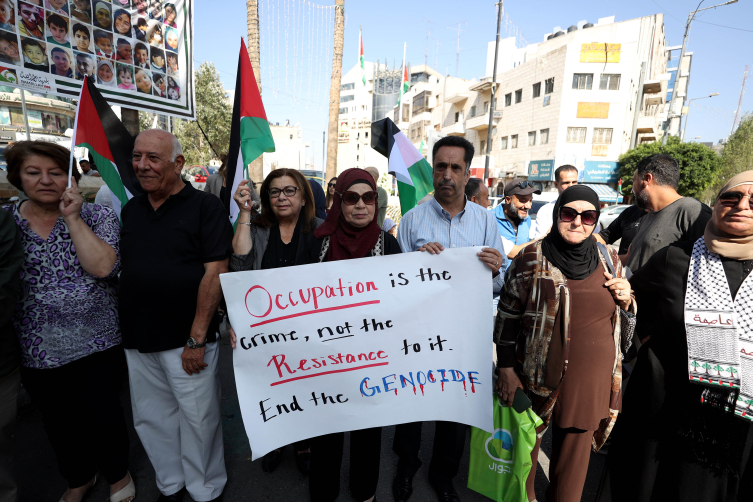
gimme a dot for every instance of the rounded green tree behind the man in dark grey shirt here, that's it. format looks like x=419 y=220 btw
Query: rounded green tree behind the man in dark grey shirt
x=699 y=165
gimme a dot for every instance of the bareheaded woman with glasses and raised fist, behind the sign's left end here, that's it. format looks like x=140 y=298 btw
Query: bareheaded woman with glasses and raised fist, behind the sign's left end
x=281 y=236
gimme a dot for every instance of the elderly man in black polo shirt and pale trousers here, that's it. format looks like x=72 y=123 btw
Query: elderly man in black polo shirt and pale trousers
x=175 y=243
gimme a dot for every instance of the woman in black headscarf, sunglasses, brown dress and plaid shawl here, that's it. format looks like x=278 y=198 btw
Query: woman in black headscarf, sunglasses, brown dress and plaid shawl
x=564 y=319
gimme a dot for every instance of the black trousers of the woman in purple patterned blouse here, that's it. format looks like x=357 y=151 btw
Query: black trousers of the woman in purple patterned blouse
x=80 y=405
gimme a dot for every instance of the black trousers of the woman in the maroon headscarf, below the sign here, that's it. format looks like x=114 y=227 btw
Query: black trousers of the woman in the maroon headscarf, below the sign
x=326 y=460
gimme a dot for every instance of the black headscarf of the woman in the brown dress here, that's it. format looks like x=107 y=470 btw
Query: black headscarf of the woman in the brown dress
x=575 y=261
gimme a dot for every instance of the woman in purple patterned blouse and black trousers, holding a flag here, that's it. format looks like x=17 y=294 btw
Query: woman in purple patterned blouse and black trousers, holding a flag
x=67 y=320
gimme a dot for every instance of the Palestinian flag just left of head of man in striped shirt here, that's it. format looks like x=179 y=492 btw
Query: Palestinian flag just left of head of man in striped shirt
x=406 y=164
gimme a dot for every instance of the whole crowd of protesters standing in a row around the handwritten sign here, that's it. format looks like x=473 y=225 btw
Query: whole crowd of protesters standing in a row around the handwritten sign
x=74 y=283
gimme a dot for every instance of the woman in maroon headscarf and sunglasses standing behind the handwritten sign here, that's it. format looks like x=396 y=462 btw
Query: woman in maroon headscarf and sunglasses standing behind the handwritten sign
x=350 y=231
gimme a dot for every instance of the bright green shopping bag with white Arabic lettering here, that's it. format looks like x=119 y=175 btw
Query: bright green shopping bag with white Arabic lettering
x=501 y=460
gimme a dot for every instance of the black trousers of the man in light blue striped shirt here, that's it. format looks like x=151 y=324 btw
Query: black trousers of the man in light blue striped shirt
x=449 y=443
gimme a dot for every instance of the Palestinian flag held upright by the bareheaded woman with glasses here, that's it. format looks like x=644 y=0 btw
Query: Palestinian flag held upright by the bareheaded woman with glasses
x=250 y=135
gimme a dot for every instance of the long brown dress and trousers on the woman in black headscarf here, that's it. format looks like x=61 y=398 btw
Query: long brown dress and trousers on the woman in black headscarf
x=583 y=399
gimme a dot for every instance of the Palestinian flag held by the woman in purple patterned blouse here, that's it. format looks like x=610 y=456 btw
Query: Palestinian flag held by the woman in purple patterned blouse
x=98 y=129
